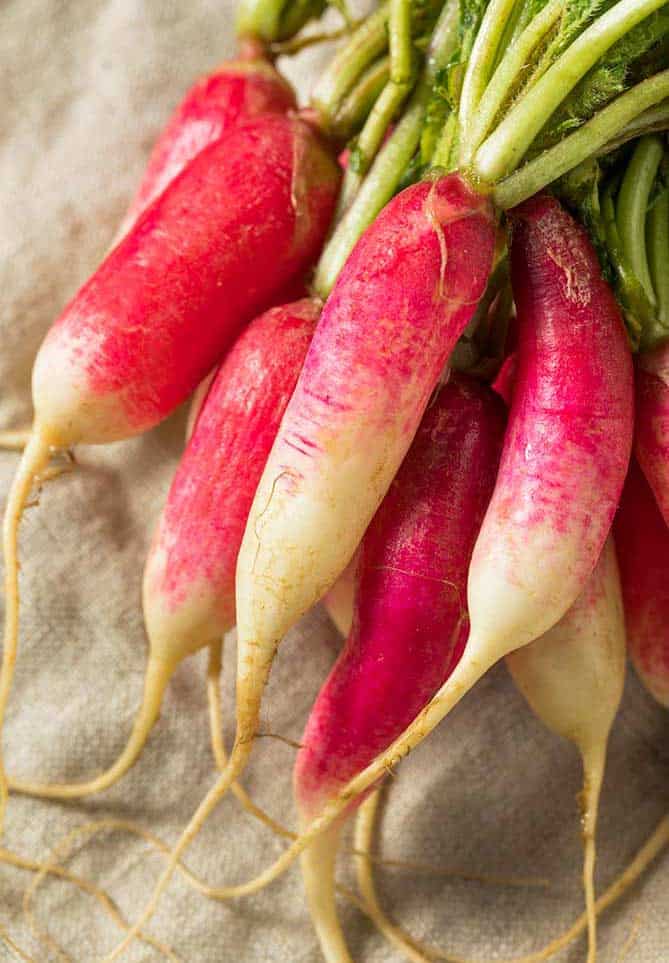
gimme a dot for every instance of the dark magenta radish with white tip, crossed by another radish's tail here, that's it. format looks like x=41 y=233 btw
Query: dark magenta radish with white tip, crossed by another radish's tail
x=410 y=622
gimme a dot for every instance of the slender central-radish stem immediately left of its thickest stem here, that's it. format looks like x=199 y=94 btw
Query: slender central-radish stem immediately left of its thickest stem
x=511 y=68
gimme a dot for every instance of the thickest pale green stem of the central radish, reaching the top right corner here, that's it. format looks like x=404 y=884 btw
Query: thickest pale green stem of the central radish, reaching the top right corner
x=503 y=150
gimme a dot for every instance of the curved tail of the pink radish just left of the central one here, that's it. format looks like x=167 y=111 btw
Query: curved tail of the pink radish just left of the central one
x=158 y=675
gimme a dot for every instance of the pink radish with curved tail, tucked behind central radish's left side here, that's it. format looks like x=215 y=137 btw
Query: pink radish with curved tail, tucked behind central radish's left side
x=189 y=576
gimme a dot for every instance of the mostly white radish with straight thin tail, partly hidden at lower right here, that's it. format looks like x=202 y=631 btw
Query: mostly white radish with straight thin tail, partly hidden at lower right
x=573 y=679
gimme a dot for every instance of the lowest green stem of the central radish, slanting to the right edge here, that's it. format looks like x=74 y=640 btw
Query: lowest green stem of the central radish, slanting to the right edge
x=583 y=143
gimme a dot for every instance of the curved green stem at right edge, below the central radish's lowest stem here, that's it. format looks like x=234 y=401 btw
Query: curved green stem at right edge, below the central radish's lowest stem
x=632 y=207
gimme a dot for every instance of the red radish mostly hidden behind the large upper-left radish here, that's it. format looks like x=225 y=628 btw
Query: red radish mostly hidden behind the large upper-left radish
x=233 y=92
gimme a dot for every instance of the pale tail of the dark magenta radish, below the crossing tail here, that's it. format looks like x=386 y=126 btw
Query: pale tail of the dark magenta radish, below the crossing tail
x=318 y=873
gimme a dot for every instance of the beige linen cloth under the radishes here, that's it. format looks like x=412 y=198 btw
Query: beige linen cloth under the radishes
x=86 y=85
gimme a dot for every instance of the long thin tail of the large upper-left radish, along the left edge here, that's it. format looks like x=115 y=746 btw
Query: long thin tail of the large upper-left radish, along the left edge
x=35 y=457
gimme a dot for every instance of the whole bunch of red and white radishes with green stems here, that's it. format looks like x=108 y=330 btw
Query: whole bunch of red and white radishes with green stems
x=348 y=444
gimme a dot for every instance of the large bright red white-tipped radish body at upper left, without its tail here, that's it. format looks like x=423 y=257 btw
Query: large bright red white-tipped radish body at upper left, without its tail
x=246 y=215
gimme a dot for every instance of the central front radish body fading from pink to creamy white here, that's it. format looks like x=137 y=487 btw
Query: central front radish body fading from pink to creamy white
x=400 y=303
